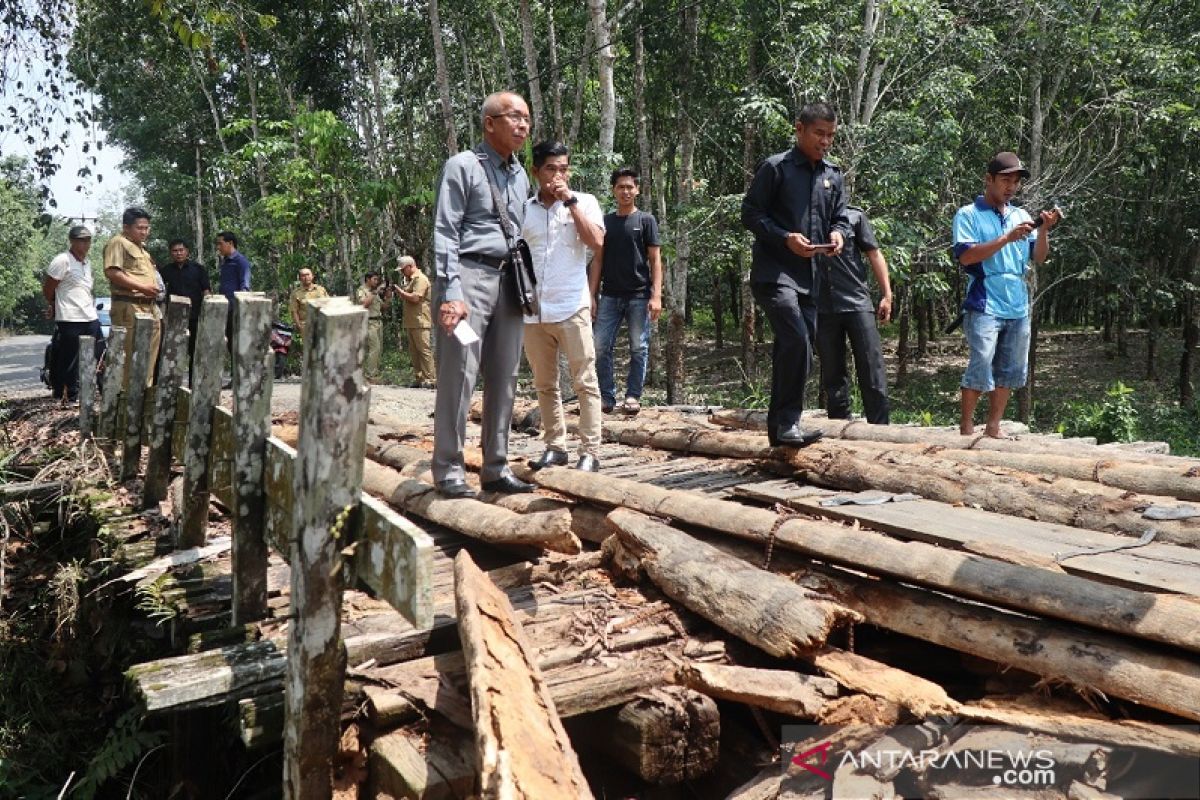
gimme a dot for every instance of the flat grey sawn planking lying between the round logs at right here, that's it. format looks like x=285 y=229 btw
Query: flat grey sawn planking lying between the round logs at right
x=1155 y=567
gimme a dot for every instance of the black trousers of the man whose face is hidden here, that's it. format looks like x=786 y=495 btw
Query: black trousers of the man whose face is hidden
x=860 y=328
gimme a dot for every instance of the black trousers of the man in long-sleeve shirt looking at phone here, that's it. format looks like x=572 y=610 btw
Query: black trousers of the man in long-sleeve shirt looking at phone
x=794 y=321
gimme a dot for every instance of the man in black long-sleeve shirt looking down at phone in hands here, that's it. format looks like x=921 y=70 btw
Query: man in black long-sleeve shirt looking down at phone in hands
x=796 y=208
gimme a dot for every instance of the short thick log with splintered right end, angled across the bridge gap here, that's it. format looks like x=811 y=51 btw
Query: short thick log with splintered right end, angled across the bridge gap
x=751 y=604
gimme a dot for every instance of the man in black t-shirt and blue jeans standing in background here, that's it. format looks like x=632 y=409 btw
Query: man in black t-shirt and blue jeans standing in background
x=626 y=280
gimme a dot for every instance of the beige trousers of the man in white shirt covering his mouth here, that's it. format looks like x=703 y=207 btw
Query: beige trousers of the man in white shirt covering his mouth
x=572 y=338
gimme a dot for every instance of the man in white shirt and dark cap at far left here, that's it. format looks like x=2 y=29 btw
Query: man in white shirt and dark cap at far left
x=68 y=290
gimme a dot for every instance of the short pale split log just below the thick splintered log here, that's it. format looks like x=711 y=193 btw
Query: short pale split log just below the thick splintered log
x=776 y=690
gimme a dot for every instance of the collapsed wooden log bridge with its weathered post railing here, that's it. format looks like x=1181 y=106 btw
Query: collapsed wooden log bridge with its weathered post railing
x=659 y=624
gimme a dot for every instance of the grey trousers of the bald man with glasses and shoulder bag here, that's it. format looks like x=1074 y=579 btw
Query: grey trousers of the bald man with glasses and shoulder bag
x=495 y=317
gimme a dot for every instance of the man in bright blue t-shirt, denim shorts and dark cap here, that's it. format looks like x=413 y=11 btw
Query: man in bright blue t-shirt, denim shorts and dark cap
x=994 y=243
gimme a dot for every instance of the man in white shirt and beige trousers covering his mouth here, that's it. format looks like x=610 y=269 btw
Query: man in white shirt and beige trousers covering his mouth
x=560 y=227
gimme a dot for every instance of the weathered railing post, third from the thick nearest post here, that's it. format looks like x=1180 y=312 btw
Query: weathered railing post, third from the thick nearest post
x=206 y=393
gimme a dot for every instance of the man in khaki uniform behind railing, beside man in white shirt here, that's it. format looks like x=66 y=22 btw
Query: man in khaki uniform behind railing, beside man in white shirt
x=135 y=281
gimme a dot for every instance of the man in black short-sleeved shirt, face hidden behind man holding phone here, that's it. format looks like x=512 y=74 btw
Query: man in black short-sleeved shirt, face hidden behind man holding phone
x=845 y=310
